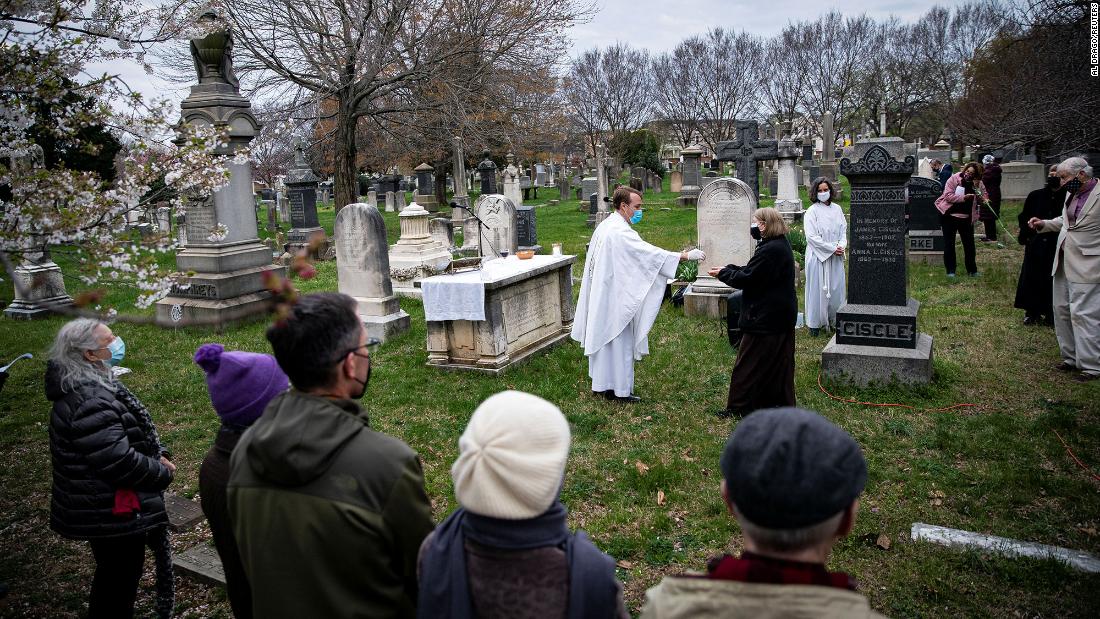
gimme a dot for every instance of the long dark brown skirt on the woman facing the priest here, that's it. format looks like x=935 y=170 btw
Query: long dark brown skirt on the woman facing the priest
x=764 y=373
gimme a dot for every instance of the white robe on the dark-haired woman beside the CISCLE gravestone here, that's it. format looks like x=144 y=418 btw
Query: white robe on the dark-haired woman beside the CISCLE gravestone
x=827 y=230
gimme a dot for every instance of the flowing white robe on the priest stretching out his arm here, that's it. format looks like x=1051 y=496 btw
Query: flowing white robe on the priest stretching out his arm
x=621 y=294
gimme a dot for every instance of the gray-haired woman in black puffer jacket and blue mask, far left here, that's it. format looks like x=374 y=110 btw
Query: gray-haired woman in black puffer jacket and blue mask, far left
x=111 y=471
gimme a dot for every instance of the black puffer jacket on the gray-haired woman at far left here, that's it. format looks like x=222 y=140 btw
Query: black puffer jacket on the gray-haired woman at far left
x=100 y=447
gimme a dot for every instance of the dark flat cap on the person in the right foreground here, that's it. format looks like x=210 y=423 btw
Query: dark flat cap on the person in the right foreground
x=789 y=469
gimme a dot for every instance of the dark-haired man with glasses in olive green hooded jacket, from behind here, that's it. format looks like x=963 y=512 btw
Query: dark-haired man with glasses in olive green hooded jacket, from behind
x=329 y=515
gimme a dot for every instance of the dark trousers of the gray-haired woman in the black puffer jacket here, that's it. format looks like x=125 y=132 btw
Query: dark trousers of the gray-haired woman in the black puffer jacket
x=118 y=570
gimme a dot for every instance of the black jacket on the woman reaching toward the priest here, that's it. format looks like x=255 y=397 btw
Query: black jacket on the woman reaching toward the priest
x=769 y=304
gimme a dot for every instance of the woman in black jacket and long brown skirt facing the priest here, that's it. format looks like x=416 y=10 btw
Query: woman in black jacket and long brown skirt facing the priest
x=764 y=373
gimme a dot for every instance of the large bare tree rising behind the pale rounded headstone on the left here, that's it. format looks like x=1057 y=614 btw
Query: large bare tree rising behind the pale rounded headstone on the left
x=387 y=59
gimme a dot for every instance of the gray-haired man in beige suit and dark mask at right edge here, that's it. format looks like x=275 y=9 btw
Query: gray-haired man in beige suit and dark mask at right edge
x=1076 y=271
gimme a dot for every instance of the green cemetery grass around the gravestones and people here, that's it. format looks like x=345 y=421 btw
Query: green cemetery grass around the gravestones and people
x=997 y=468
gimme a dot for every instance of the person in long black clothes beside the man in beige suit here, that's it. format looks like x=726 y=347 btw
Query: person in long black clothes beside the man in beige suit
x=1033 y=290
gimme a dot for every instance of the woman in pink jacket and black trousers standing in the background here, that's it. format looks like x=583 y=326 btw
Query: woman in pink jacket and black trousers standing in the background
x=959 y=207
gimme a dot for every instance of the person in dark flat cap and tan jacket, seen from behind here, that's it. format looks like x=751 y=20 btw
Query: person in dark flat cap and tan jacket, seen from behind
x=793 y=481
